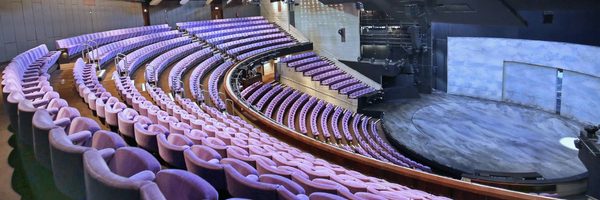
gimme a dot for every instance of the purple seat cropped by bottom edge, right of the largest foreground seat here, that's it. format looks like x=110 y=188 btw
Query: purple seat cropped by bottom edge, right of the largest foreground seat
x=183 y=185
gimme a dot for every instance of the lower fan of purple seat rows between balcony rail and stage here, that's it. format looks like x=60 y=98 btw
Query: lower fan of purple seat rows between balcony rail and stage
x=323 y=121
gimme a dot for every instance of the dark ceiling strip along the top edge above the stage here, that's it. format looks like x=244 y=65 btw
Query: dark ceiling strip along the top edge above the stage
x=491 y=12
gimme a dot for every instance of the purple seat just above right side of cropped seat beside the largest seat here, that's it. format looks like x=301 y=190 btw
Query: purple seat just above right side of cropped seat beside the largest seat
x=205 y=162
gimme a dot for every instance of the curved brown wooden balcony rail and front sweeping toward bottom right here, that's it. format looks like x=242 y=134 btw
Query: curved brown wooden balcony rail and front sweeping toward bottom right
x=431 y=183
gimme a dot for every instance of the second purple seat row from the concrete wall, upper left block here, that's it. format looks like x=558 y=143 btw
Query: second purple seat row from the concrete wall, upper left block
x=107 y=52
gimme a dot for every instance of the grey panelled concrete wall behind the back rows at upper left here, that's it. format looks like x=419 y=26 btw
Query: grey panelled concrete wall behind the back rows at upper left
x=28 y=23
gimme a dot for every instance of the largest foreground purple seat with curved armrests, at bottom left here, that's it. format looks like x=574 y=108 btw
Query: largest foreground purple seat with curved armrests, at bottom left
x=118 y=174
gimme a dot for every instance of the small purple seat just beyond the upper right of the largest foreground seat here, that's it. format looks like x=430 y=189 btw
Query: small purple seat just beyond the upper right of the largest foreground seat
x=170 y=148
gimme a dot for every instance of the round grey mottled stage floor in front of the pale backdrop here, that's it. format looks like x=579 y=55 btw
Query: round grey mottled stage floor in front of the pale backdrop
x=468 y=134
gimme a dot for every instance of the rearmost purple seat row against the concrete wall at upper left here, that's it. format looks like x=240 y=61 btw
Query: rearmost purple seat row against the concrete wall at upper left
x=74 y=45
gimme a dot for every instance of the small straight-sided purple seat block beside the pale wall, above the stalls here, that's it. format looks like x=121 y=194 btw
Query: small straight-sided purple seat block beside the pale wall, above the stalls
x=324 y=71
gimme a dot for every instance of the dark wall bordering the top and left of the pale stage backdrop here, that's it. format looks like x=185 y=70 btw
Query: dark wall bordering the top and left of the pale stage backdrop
x=581 y=27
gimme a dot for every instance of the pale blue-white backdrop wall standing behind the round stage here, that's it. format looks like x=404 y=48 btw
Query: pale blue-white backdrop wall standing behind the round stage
x=476 y=68
